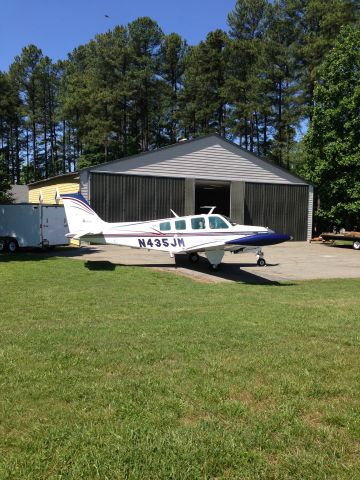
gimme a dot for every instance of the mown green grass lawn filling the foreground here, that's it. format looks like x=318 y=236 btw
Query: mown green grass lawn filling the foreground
x=137 y=374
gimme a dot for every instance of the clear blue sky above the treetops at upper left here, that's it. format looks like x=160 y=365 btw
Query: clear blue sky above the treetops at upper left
x=57 y=27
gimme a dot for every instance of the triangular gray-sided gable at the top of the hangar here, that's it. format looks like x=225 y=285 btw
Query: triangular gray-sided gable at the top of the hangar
x=210 y=157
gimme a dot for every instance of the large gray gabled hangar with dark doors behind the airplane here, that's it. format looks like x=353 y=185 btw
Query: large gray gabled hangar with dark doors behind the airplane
x=206 y=171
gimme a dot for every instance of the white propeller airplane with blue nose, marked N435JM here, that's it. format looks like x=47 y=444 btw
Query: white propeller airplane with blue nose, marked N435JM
x=210 y=233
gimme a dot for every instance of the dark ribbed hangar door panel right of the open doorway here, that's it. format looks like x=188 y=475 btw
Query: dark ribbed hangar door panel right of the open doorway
x=283 y=208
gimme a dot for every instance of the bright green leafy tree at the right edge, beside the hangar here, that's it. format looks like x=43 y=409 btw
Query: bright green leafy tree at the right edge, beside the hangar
x=333 y=140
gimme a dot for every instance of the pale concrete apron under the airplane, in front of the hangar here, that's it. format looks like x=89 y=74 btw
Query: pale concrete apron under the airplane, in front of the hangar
x=285 y=262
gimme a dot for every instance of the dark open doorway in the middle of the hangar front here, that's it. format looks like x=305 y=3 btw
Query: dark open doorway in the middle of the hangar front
x=208 y=193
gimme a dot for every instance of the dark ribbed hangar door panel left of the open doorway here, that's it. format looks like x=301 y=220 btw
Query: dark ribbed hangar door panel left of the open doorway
x=122 y=198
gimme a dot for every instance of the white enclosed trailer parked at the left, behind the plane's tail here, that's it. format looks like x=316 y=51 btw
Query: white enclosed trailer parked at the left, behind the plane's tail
x=32 y=225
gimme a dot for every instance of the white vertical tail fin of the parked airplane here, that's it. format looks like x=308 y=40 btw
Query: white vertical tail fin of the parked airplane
x=80 y=216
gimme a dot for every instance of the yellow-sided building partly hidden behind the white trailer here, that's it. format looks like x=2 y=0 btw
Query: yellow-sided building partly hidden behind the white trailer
x=49 y=191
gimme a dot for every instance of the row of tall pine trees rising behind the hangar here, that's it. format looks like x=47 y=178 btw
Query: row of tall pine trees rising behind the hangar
x=134 y=89
